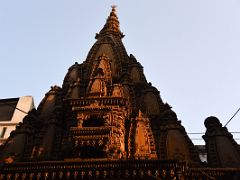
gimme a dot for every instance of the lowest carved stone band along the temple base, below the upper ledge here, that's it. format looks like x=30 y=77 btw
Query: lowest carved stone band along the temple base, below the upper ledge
x=82 y=174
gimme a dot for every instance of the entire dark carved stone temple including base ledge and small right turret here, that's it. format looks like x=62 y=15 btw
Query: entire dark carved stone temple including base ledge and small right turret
x=107 y=121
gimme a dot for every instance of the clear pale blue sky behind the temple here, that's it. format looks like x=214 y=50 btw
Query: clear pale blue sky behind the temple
x=190 y=49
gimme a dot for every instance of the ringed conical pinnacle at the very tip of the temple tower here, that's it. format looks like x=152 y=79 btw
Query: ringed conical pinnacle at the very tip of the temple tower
x=112 y=25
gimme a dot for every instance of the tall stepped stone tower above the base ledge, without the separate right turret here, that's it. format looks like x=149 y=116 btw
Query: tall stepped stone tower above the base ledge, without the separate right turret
x=105 y=109
